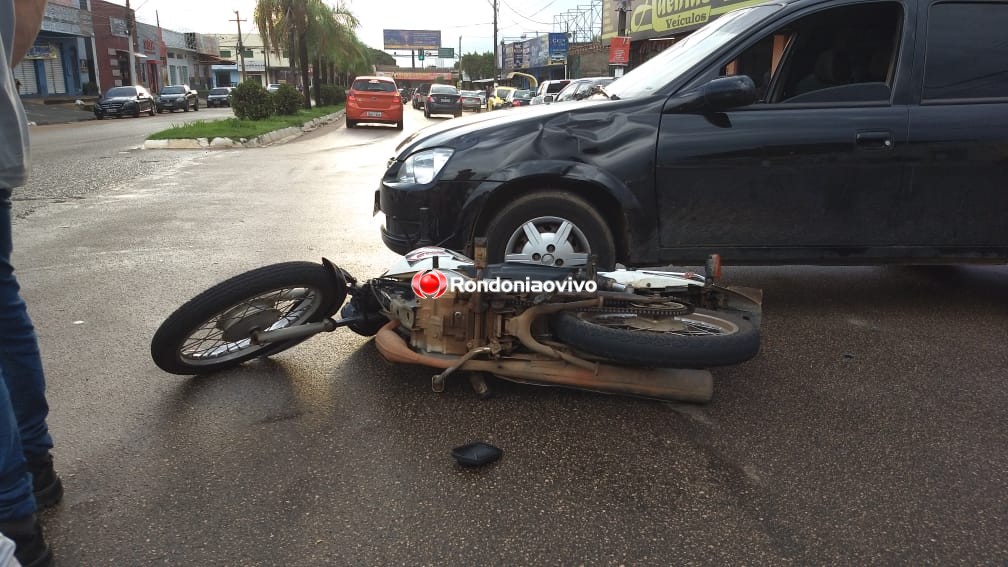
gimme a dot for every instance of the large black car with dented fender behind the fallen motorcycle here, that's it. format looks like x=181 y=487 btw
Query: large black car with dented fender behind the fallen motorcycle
x=804 y=132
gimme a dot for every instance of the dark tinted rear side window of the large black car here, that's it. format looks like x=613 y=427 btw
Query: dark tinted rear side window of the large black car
x=967 y=65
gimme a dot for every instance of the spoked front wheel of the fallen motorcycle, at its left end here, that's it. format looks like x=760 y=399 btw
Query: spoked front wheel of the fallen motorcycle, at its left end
x=211 y=331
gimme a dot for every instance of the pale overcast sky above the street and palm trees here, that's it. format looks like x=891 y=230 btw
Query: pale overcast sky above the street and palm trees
x=471 y=20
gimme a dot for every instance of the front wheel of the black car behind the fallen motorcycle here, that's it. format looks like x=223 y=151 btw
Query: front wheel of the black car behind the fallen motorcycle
x=548 y=212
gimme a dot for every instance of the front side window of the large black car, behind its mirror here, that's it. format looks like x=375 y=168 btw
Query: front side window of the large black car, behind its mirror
x=840 y=55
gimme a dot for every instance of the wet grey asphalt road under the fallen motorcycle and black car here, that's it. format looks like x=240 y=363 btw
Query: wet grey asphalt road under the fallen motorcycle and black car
x=871 y=428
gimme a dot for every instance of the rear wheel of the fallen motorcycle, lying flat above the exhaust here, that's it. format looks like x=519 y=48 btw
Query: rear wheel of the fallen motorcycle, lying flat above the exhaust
x=697 y=341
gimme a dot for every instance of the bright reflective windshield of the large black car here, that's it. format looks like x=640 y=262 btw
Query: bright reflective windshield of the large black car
x=669 y=65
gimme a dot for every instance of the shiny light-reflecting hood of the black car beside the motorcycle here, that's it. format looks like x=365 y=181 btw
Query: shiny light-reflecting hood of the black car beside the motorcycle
x=472 y=129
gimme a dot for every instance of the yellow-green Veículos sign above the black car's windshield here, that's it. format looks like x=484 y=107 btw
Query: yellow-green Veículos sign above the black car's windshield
x=659 y=19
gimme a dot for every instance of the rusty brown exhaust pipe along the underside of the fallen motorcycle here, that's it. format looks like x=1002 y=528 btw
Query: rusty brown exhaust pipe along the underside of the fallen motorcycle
x=684 y=385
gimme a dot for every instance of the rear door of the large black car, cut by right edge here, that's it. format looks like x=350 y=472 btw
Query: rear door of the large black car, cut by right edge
x=959 y=133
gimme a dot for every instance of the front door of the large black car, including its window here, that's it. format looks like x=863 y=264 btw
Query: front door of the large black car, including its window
x=815 y=171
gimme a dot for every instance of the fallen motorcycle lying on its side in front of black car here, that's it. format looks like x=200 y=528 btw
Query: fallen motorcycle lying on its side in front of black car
x=638 y=332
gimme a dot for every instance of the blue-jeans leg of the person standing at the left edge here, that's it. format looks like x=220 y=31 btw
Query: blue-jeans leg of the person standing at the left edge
x=22 y=371
